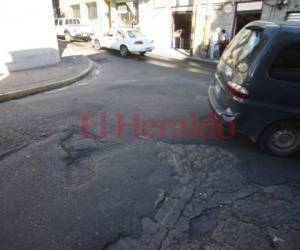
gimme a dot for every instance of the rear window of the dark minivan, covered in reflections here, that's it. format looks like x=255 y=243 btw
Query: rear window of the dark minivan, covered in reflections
x=243 y=48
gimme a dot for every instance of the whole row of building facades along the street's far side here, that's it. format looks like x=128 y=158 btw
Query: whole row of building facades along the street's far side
x=184 y=24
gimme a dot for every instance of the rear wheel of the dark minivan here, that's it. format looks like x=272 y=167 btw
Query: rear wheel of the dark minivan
x=281 y=139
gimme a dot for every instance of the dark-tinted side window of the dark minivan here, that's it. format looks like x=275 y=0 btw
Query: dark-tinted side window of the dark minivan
x=287 y=65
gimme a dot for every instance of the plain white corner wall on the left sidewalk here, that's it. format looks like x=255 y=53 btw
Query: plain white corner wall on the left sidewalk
x=29 y=39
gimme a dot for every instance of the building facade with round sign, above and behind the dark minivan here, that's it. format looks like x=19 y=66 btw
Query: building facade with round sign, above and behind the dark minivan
x=233 y=15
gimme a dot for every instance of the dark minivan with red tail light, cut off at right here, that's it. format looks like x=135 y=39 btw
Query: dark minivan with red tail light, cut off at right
x=257 y=85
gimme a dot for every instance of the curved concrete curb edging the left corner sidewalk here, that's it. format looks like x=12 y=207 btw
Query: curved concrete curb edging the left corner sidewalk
x=50 y=86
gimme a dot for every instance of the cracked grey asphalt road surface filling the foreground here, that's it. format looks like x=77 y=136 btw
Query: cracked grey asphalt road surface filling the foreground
x=59 y=190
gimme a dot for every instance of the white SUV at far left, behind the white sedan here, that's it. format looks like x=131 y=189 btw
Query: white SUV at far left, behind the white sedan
x=71 y=29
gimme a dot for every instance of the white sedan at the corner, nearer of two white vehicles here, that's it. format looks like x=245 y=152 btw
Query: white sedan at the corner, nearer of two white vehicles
x=126 y=40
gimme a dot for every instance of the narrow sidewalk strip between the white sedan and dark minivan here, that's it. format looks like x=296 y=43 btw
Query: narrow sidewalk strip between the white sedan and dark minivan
x=178 y=54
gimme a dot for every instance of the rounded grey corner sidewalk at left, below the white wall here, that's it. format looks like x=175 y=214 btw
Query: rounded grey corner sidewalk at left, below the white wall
x=28 y=82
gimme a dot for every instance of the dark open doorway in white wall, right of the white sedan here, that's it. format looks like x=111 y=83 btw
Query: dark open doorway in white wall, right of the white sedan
x=182 y=31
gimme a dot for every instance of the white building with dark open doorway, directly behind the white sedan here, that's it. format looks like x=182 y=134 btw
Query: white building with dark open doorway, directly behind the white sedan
x=158 y=19
